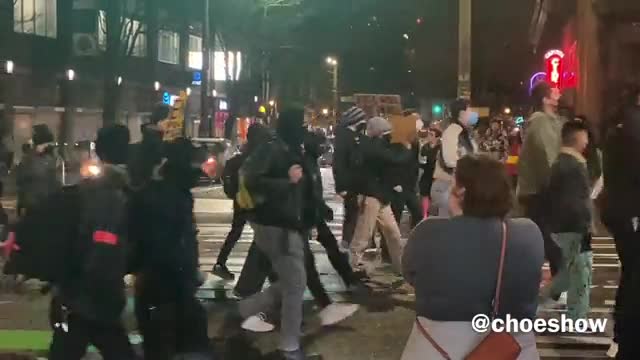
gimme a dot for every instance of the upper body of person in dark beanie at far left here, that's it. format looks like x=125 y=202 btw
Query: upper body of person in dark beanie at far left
x=37 y=176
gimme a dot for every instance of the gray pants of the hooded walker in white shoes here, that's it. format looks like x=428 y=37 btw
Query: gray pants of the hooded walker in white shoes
x=285 y=250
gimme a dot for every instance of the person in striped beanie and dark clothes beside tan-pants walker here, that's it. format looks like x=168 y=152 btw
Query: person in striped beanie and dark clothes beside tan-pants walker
x=345 y=166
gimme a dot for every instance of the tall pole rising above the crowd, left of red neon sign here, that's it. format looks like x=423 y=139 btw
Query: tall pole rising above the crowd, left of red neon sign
x=464 y=49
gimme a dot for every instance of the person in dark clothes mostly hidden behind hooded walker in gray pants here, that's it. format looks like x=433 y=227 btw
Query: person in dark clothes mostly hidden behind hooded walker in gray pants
x=256 y=135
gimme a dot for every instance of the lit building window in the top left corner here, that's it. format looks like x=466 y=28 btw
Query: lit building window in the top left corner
x=38 y=17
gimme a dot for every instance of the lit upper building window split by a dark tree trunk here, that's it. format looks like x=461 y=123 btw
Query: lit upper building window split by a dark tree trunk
x=133 y=34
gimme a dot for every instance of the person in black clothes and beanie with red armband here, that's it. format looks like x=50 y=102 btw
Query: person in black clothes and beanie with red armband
x=87 y=305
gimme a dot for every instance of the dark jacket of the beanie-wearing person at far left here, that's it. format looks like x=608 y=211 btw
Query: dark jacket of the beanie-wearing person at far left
x=37 y=178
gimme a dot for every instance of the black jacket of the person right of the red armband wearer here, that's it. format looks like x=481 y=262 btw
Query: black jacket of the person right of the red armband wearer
x=163 y=231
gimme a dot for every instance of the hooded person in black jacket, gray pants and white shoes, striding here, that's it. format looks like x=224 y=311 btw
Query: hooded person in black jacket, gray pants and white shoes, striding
x=281 y=185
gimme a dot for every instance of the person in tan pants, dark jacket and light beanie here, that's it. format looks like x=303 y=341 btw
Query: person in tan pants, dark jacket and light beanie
x=376 y=193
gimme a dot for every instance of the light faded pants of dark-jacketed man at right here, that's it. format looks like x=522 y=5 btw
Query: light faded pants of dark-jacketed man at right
x=575 y=275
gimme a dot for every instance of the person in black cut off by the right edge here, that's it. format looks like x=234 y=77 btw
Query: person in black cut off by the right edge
x=620 y=214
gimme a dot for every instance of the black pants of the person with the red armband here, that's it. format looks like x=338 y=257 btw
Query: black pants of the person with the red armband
x=109 y=338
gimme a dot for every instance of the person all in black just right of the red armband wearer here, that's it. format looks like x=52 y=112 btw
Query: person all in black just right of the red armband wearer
x=170 y=318
